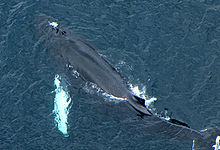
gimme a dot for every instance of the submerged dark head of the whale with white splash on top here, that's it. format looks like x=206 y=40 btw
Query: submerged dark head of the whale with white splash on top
x=52 y=37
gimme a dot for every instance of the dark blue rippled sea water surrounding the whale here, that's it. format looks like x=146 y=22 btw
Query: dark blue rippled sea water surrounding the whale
x=171 y=47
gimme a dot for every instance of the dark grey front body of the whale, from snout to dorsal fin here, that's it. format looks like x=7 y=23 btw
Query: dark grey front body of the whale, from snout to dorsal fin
x=75 y=54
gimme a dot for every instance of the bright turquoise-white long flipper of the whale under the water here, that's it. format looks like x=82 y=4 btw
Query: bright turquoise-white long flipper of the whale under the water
x=62 y=106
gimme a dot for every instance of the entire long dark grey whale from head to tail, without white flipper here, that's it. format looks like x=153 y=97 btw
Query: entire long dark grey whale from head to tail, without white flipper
x=73 y=53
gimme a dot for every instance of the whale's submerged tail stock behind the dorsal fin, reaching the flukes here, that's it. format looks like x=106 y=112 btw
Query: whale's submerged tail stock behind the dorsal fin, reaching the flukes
x=207 y=139
